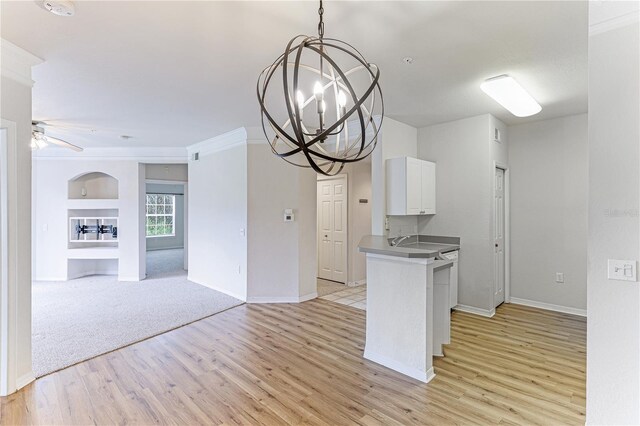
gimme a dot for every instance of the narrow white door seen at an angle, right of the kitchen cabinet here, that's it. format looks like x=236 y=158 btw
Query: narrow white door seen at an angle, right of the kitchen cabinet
x=499 y=228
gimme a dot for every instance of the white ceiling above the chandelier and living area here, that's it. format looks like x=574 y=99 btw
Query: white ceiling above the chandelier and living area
x=176 y=73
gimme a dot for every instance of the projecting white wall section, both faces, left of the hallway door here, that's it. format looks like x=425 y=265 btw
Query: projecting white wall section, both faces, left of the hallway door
x=238 y=186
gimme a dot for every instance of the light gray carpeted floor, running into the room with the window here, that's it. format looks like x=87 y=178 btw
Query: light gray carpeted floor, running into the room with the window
x=80 y=319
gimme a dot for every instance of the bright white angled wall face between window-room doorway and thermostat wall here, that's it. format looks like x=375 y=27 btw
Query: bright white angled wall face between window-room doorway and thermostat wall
x=217 y=217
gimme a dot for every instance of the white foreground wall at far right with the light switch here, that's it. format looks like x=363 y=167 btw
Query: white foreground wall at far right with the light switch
x=613 y=321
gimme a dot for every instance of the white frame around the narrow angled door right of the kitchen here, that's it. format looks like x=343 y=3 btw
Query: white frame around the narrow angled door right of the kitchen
x=507 y=228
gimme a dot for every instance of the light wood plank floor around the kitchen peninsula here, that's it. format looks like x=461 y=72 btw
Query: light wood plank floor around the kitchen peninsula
x=276 y=364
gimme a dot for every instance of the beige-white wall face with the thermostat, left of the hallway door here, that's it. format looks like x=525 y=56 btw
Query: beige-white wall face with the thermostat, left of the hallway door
x=280 y=253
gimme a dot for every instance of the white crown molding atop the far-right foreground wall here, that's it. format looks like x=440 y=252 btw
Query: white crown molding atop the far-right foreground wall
x=607 y=15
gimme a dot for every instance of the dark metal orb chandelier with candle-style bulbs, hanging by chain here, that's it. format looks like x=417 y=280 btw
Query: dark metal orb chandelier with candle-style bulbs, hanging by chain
x=321 y=103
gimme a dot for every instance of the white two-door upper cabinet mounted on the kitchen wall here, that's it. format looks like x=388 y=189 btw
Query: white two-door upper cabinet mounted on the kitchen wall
x=411 y=186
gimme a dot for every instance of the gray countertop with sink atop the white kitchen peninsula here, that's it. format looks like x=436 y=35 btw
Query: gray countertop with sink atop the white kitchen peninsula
x=422 y=248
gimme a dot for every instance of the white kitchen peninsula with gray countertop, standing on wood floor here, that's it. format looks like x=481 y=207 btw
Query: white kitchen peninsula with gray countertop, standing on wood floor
x=408 y=315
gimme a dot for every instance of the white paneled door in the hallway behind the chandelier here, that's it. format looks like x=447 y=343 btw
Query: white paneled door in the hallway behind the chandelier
x=332 y=229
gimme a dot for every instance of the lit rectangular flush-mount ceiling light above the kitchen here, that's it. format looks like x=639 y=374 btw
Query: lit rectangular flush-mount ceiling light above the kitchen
x=508 y=93
